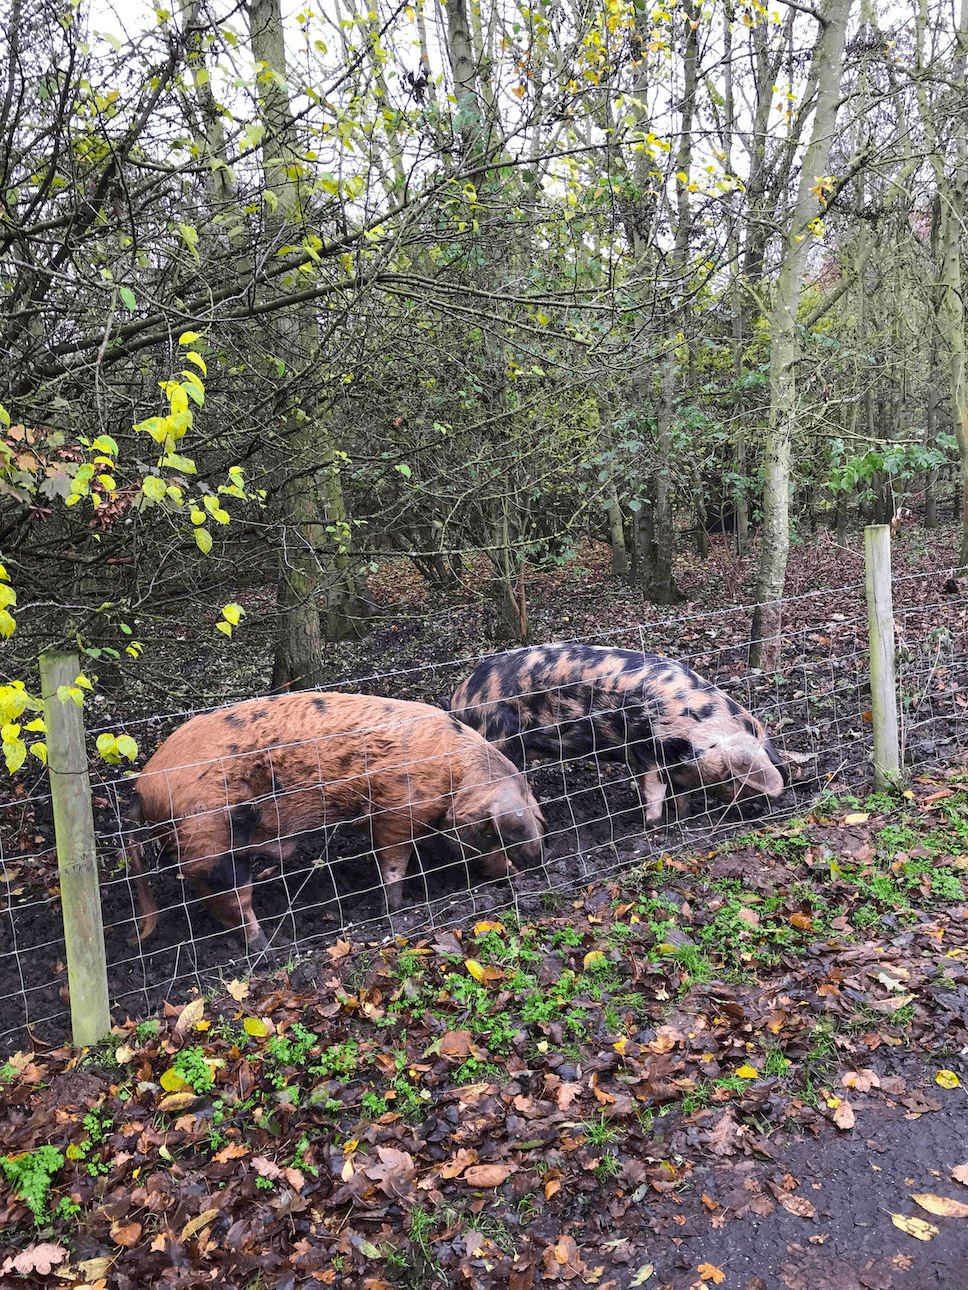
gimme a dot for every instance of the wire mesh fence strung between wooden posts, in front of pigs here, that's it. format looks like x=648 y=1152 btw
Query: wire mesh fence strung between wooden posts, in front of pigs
x=365 y=817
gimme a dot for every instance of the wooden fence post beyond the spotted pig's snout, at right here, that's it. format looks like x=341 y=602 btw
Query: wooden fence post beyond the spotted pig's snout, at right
x=881 y=631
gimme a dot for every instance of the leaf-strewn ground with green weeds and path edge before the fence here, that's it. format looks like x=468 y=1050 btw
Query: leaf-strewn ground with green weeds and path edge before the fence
x=722 y=1073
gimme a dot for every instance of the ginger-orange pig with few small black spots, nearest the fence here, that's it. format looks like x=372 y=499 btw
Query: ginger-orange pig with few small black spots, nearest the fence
x=254 y=779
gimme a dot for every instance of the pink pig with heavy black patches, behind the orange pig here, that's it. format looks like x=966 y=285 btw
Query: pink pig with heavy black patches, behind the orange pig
x=671 y=726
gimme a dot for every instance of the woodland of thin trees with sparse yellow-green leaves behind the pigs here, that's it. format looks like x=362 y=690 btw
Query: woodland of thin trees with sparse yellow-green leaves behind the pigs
x=290 y=296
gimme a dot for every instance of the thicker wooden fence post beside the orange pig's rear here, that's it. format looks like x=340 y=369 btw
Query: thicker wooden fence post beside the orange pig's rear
x=77 y=860
